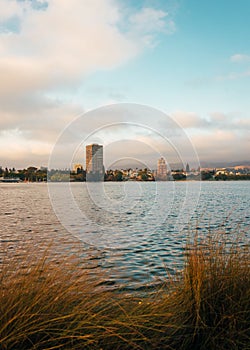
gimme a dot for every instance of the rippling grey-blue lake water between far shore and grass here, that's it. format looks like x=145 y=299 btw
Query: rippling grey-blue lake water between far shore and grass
x=135 y=231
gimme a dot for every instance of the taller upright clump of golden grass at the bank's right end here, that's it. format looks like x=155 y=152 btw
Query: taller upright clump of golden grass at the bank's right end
x=212 y=304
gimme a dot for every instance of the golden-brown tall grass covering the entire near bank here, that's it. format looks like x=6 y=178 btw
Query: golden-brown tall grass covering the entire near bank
x=56 y=304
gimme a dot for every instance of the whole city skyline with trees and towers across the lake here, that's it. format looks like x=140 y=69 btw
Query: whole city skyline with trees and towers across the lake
x=163 y=173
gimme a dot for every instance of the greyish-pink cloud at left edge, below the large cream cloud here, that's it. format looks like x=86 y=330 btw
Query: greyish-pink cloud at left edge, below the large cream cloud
x=36 y=117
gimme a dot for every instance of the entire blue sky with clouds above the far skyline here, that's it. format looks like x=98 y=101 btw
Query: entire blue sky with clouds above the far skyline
x=62 y=62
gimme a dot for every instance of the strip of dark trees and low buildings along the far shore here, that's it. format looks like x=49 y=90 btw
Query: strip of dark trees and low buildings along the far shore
x=33 y=174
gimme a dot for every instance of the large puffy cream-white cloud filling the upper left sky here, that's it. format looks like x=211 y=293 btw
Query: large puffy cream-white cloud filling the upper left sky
x=66 y=41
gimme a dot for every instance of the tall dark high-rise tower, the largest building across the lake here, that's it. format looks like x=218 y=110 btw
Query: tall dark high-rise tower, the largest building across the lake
x=94 y=162
